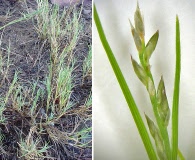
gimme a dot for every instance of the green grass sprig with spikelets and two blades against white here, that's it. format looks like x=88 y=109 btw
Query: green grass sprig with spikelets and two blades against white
x=165 y=148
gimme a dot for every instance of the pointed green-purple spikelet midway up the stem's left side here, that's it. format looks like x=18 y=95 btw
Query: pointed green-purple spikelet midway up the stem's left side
x=140 y=72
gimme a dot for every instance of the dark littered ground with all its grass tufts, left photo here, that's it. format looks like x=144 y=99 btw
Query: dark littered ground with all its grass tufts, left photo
x=45 y=93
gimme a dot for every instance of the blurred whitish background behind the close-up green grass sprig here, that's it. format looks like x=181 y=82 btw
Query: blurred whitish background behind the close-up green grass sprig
x=115 y=134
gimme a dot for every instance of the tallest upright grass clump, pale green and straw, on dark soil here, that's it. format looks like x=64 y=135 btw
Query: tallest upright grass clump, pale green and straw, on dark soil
x=55 y=27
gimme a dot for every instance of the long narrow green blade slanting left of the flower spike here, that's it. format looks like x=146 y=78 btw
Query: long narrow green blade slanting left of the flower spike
x=125 y=89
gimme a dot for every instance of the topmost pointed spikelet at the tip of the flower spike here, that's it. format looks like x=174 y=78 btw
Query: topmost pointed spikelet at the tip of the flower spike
x=139 y=23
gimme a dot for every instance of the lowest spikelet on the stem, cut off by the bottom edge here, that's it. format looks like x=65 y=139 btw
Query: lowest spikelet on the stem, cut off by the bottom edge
x=157 y=138
